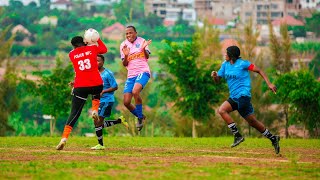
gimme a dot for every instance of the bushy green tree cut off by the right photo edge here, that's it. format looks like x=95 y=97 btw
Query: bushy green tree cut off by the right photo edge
x=301 y=91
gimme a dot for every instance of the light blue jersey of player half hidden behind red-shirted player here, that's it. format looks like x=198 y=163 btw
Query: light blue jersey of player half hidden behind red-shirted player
x=108 y=81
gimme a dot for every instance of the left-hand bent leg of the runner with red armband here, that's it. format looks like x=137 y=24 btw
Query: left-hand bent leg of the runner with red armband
x=224 y=110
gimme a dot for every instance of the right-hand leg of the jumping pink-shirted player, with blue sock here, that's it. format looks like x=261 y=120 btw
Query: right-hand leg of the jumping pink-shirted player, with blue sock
x=141 y=81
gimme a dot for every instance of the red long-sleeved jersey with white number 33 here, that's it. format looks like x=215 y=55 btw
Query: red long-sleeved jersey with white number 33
x=84 y=60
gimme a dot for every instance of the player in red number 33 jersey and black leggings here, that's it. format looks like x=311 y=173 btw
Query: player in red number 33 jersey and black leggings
x=87 y=81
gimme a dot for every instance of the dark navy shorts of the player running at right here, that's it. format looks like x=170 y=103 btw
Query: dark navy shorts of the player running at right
x=242 y=105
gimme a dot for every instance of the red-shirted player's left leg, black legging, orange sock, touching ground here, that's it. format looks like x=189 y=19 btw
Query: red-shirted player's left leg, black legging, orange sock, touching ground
x=78 y=100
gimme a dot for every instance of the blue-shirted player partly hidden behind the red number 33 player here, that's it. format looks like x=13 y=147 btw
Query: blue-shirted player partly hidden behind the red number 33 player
x=106 y=102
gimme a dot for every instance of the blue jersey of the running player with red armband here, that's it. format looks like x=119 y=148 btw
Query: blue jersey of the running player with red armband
x=237 y=76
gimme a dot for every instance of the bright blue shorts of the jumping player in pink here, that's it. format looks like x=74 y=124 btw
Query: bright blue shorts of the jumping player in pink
x=142 y=79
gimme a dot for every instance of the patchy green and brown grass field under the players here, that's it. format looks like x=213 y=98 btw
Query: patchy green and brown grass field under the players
x=158 y=158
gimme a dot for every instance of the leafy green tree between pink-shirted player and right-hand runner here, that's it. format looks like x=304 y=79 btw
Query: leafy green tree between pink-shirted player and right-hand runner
x=188 y=85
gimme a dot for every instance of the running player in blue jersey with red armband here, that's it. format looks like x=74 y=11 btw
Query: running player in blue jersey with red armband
x=236 y=72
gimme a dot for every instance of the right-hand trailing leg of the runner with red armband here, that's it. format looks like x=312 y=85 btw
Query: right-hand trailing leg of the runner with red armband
x=246 y=111
